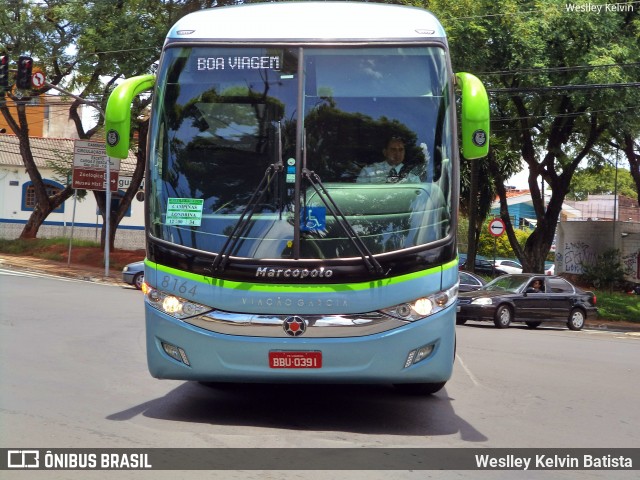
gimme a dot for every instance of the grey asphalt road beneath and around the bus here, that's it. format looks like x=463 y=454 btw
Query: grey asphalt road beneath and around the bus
x=73 y=375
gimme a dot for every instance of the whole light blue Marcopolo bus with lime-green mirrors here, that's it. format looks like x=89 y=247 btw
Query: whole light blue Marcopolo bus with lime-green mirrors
x=271 y=256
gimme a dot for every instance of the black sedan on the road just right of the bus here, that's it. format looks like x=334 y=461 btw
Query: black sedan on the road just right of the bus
x=513 y=298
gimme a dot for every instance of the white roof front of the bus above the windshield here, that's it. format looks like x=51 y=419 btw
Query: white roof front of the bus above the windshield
x=300 y=22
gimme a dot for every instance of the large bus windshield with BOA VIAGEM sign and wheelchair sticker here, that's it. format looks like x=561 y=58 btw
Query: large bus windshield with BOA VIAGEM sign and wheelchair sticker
x=235 y=129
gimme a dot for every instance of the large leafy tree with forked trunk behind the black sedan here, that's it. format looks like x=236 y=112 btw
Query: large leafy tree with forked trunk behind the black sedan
x=548 y=71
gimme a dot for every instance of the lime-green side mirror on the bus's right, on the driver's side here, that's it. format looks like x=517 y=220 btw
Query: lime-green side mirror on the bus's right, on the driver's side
x=474 y=117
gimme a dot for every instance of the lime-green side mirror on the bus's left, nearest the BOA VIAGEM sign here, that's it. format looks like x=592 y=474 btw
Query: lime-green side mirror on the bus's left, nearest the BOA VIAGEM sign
x=117 y=122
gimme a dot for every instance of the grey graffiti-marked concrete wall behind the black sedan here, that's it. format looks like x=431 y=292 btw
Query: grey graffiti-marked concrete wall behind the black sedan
x=580 y=242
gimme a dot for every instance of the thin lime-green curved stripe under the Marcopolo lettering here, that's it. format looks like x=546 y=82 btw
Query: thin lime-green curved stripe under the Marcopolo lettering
x=333 y=287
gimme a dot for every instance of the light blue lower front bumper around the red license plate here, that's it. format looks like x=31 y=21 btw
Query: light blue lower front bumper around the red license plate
x=379 y=358
